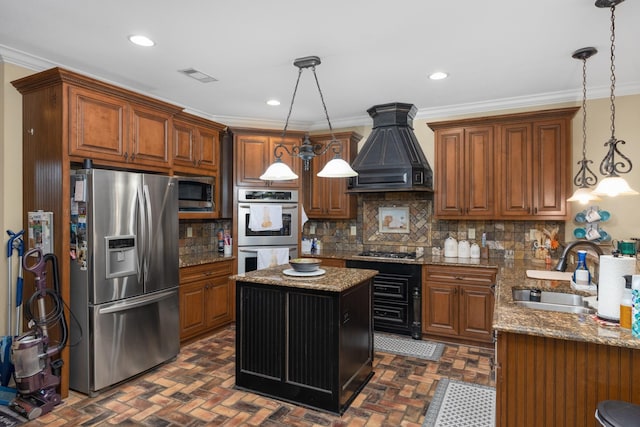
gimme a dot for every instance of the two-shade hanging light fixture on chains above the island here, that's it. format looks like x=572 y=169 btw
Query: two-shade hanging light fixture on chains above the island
x=335 y=168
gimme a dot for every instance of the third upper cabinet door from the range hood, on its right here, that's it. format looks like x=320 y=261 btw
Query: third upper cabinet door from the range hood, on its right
x=516 y=159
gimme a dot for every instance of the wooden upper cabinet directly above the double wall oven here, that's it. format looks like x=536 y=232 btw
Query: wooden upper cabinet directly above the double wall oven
x=254 y=153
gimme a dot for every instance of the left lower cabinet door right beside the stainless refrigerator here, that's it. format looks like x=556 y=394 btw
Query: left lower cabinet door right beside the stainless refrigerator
x=192 y=309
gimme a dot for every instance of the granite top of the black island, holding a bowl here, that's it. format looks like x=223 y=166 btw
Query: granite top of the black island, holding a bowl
x=334 y=280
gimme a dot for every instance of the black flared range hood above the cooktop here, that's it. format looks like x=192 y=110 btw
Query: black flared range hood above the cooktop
x=391 y=158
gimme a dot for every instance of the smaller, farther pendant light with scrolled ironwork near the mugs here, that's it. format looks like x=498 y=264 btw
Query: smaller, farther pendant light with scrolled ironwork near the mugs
x=585 y=177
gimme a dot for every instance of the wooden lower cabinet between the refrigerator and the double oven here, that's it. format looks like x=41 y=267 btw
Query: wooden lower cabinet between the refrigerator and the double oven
x=206 y=298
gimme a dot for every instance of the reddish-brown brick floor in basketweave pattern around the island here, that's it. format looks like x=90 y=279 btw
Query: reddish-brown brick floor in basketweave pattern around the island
x=197 y=389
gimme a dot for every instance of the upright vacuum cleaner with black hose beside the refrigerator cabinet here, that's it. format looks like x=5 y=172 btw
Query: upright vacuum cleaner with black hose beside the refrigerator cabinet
x=36 y=374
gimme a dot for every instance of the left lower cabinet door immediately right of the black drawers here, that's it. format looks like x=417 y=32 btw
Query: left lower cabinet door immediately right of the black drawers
x=440 y=310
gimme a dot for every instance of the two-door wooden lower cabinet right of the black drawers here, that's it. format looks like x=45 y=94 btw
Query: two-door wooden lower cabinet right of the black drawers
x=457 y=302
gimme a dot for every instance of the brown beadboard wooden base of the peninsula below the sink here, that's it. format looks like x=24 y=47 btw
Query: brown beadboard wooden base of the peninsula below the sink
x=544 y=381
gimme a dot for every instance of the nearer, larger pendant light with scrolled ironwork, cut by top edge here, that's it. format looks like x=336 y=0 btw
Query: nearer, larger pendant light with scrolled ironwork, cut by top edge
x=613 y=184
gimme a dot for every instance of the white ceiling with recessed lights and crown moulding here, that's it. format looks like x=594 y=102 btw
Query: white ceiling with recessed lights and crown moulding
x=500 y=54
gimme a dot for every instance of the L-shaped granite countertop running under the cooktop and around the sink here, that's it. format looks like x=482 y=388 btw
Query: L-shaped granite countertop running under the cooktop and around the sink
x=508 y=316
